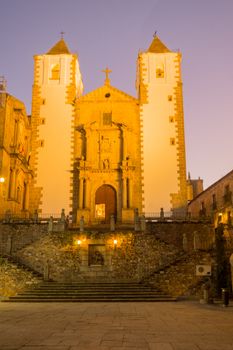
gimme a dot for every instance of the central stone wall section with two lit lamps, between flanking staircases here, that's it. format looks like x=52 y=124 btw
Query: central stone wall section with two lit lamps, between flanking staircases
x=63 y=259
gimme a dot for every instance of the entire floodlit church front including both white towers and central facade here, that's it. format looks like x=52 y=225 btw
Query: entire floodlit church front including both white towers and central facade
x=107 y=154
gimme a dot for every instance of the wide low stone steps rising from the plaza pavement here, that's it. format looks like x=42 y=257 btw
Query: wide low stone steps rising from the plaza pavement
x=91 y=292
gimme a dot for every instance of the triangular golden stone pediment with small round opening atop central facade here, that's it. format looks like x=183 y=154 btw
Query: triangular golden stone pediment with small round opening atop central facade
x=107 y=93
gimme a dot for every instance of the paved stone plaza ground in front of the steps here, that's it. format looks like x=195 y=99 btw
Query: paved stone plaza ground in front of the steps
x=115 y=326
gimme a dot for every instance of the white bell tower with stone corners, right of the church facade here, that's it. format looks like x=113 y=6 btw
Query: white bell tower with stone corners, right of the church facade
x=159 y=86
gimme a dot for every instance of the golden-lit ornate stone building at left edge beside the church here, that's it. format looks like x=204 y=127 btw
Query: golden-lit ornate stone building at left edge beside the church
x=15 y=154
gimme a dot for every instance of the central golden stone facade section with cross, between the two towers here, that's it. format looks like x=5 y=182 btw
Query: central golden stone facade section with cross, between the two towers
x=107 y=156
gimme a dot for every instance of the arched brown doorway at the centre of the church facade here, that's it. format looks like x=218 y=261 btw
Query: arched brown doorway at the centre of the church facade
x=105 y=203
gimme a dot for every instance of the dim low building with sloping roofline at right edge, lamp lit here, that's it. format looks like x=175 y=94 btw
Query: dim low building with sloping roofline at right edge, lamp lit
x=215 y=201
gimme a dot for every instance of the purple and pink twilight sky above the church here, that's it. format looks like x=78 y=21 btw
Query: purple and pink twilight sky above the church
x=110 y=33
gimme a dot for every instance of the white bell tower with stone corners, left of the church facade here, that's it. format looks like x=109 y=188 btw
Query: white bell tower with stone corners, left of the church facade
x=57 y=84
